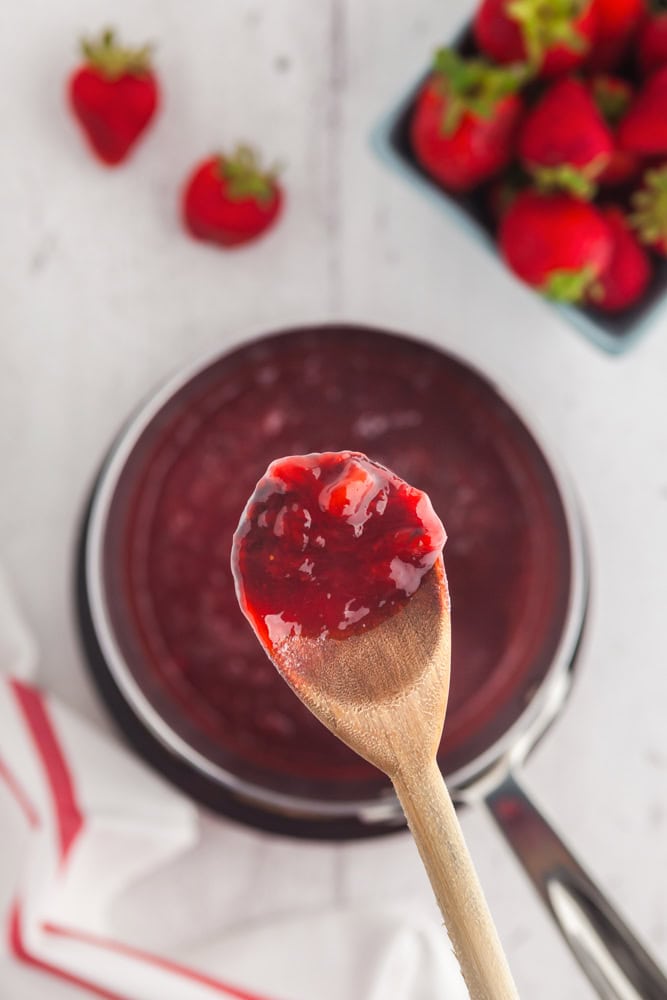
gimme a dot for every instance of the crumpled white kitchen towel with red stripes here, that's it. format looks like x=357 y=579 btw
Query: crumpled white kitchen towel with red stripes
x=83 y=821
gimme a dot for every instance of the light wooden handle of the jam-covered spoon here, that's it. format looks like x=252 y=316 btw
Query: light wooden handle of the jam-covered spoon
x=435 y=827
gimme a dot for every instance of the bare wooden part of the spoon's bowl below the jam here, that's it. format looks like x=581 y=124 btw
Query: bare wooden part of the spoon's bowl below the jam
x=375 y=686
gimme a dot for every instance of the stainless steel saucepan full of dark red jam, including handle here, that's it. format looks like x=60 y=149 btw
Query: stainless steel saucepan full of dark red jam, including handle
x=183 y=676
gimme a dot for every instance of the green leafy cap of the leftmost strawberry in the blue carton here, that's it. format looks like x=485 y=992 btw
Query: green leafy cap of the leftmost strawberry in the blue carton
x=473 y=85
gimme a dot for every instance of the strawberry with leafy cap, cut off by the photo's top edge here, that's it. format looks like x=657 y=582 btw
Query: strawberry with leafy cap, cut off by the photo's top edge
x=554 y=36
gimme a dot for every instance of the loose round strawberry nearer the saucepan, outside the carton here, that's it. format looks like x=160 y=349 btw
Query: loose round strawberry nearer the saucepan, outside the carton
x=229 y=200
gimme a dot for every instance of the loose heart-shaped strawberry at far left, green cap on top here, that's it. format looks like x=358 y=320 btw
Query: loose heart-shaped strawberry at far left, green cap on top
x=114 y=95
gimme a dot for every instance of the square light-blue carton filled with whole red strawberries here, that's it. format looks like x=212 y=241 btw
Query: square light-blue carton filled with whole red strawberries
x=543 y=128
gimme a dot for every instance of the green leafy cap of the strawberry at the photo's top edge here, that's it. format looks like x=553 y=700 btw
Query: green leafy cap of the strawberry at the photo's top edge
x=546 y=23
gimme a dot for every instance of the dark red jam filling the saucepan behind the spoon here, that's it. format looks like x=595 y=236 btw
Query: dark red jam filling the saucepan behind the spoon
x=433 y=420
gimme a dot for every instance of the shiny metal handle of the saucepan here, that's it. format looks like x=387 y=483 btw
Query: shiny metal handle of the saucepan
x=613 y=959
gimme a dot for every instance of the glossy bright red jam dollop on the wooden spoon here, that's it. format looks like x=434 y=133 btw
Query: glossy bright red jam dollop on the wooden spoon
x=329 y=545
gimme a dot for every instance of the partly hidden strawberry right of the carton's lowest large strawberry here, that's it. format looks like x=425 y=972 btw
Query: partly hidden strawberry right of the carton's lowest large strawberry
x=625 y=279
